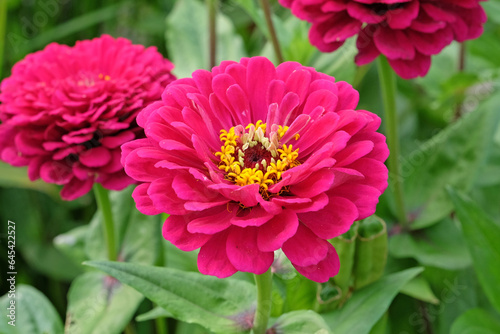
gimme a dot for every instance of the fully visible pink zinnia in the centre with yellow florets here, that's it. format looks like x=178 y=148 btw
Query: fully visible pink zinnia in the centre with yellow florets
x=249 y=158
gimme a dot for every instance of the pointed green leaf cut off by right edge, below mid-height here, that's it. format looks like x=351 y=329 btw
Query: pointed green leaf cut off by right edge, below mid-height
x=482 y=235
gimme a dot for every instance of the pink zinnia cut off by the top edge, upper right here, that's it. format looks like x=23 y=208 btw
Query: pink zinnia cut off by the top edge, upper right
x=407 y=32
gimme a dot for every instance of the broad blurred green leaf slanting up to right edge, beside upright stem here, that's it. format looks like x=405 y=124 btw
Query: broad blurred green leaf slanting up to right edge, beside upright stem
x=452 y=157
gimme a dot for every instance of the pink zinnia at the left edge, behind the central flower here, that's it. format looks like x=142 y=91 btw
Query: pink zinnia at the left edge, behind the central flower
x=66 y=110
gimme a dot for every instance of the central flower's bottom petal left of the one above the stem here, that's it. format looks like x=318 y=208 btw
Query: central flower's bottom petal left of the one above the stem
x=212 y=258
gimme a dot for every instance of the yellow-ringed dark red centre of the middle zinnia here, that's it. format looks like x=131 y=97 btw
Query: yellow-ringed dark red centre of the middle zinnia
x=249 y=156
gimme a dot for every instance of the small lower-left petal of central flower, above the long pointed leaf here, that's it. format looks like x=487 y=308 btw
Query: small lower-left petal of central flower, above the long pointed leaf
x=175 y=231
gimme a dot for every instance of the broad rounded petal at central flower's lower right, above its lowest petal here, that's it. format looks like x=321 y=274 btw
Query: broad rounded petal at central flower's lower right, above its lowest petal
x=333 y=220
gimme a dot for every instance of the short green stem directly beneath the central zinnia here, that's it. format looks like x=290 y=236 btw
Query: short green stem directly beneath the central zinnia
x=264 y=284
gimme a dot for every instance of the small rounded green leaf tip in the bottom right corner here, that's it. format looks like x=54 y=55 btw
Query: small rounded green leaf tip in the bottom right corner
x=476 y=321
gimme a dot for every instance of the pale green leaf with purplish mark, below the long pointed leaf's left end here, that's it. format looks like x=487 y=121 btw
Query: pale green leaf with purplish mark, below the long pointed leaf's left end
x=99 y=304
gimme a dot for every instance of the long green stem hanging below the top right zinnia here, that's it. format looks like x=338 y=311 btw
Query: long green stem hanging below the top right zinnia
x=388 y=87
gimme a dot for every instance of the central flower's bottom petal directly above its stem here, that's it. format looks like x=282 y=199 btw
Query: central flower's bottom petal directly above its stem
x=243 y=253
